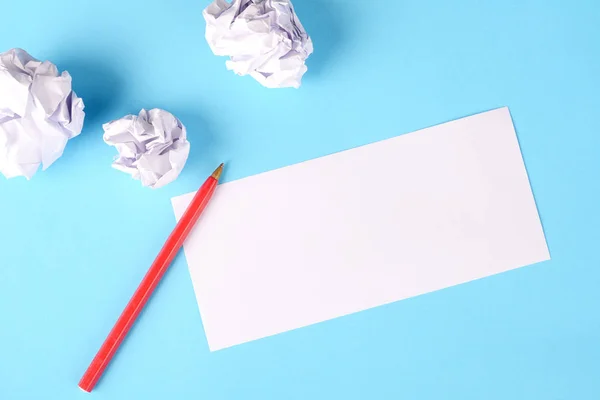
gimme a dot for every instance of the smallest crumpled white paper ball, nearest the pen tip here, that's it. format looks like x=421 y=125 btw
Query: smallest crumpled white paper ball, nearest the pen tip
x=152 y=146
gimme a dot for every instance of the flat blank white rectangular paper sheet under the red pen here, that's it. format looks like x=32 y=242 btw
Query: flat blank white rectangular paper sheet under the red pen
x=361 y=228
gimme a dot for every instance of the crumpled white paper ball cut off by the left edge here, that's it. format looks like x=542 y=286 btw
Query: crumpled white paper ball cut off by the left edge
x=39 y=113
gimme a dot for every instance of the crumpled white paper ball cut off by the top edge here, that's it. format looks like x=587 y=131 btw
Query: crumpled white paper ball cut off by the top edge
x=263 y=38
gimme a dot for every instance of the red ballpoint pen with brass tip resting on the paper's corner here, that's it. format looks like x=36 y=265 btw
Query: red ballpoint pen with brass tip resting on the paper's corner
x=149 y=283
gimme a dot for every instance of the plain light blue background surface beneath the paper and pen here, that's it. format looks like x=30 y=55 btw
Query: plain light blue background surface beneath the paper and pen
x=76 y=240
